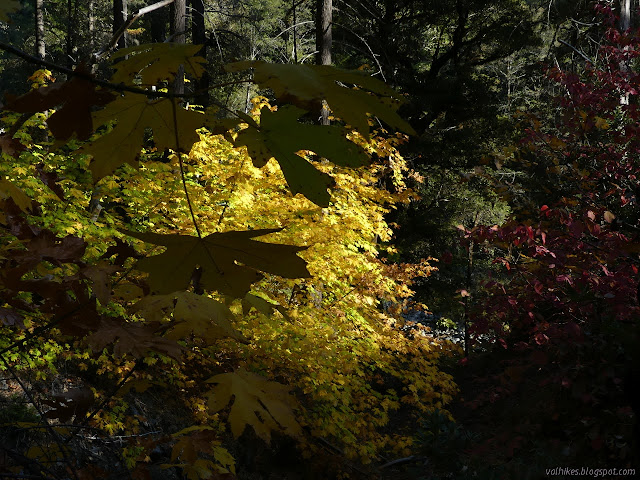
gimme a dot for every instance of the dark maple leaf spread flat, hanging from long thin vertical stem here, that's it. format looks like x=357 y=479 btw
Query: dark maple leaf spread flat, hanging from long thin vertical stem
x=229 y=261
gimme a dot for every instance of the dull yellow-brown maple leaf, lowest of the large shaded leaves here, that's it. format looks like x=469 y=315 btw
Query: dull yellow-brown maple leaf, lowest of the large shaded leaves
x=258 y=402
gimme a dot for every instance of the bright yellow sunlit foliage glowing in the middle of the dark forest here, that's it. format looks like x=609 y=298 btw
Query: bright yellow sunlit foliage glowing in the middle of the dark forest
x=348 y=365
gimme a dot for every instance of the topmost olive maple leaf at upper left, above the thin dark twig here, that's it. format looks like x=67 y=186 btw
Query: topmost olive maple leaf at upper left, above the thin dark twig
x=154 y=62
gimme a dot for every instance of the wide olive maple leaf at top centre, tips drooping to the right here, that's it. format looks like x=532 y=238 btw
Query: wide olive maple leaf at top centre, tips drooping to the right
x=307 y=85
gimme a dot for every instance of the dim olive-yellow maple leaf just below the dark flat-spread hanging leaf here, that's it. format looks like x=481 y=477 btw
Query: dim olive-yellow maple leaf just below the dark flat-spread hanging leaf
x=193 y=314
